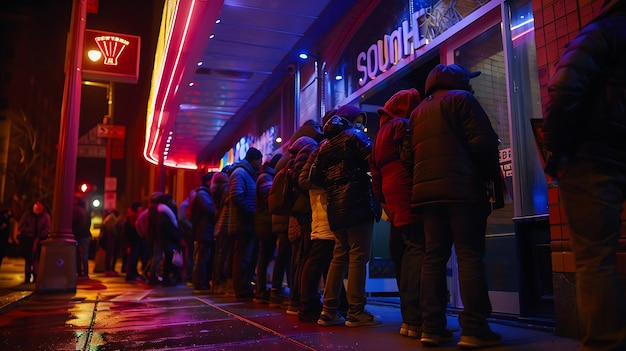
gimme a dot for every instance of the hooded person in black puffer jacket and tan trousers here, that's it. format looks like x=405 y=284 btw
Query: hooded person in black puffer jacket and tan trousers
x=341 y=168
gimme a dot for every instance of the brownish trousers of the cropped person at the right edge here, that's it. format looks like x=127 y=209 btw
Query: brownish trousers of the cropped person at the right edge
x=592 y=196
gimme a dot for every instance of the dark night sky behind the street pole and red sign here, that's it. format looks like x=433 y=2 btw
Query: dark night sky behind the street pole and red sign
x=46 y=31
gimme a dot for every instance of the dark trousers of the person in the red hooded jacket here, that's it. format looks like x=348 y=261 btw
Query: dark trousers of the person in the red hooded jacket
x=409 y=282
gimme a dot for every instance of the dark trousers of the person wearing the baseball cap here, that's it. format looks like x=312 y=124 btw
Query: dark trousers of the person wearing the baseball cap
x=465 y=226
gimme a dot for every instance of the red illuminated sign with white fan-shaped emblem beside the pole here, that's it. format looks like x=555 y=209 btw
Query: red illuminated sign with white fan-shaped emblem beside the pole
x=111 y=56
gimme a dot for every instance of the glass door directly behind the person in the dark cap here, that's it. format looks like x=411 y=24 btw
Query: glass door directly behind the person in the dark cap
x=482 y=50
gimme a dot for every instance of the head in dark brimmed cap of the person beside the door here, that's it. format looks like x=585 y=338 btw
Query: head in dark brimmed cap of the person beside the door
x=451 y=77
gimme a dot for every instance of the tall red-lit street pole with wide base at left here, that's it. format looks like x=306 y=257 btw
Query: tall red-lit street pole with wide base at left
x=57 y=268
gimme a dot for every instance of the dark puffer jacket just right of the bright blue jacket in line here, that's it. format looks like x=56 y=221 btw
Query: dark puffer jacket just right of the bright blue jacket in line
x=262 y=215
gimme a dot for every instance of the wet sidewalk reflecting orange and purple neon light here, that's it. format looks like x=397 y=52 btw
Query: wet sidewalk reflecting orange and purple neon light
x=107 y=313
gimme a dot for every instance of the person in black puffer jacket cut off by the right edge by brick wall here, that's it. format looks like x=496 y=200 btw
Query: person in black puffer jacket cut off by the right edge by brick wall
x=585 y=131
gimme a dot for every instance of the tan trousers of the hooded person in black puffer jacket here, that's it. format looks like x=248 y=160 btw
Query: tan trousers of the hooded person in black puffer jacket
x=352 y=251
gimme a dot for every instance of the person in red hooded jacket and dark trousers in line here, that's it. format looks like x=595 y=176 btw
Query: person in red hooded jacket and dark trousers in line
x=392 y=171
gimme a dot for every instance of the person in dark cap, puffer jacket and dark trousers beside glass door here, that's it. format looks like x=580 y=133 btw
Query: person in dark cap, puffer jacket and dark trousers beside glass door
x=455 y=154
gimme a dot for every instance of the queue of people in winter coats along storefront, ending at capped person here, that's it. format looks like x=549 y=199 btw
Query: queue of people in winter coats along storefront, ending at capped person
x=428 y=169
